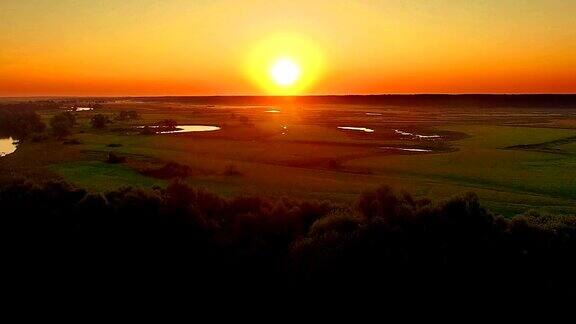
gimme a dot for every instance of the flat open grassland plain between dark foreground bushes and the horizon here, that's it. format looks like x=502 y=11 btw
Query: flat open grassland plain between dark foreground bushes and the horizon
x=509 y=156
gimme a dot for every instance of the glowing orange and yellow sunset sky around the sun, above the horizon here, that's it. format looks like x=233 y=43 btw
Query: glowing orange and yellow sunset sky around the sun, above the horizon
x=178 y=47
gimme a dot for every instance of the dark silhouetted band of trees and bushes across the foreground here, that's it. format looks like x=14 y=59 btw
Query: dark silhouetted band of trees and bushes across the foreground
x=385 y=243
